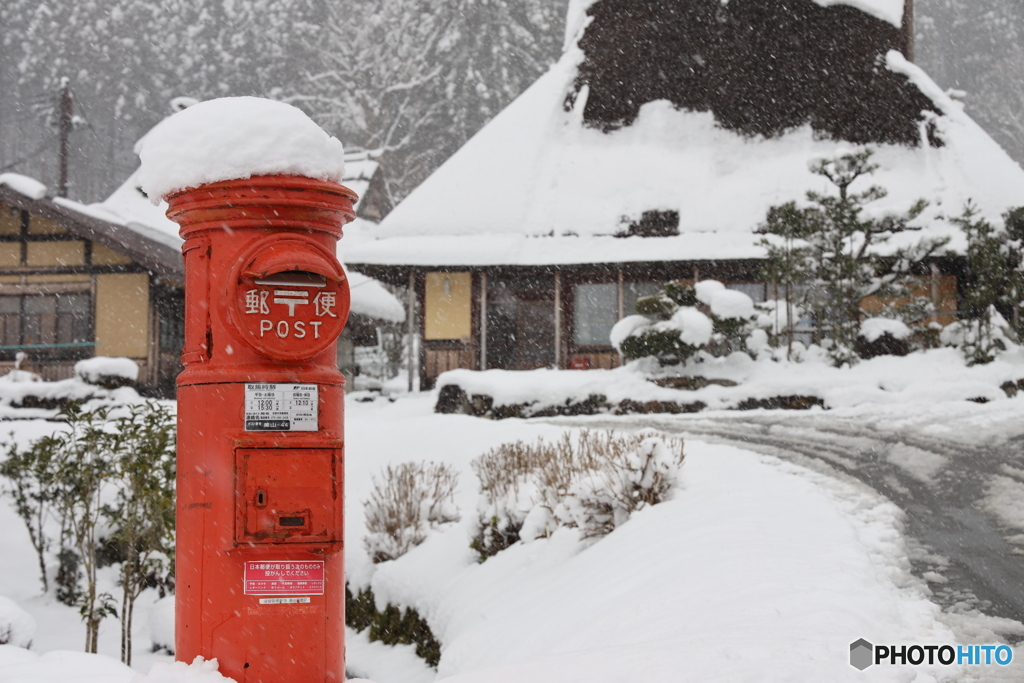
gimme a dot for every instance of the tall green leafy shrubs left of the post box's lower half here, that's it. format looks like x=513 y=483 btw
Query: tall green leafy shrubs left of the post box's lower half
x=100 y=473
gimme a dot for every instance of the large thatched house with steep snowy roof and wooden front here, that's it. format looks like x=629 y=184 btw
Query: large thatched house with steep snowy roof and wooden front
x=653 y=151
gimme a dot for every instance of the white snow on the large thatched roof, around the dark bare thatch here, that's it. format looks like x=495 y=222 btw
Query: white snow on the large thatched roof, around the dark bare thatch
x=544 y=184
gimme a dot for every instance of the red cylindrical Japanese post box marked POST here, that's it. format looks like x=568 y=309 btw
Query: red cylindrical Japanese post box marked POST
x=261 y=576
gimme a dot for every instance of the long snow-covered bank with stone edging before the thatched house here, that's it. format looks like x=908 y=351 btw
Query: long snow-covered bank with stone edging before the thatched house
x=919 y=380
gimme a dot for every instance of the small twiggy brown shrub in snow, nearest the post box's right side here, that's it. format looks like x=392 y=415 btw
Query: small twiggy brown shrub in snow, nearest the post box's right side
x=408 y=501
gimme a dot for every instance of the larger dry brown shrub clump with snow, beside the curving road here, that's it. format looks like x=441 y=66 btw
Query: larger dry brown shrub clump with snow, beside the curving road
x=593 y=483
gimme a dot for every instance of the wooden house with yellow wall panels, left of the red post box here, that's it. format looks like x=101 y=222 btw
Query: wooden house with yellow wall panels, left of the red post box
x=75 y=284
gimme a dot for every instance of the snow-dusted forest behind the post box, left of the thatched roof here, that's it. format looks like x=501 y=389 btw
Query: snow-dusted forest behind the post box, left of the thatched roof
x=414 y=77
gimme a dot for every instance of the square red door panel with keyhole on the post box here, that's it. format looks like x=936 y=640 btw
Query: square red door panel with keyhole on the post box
x=288 y=496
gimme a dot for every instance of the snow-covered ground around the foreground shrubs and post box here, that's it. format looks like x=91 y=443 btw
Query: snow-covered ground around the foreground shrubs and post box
x=758 y=571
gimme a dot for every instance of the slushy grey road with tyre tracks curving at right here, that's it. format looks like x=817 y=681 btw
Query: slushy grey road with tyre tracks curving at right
x=958 y=475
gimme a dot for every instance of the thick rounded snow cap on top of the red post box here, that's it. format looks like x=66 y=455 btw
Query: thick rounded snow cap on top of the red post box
x=236 y=139
